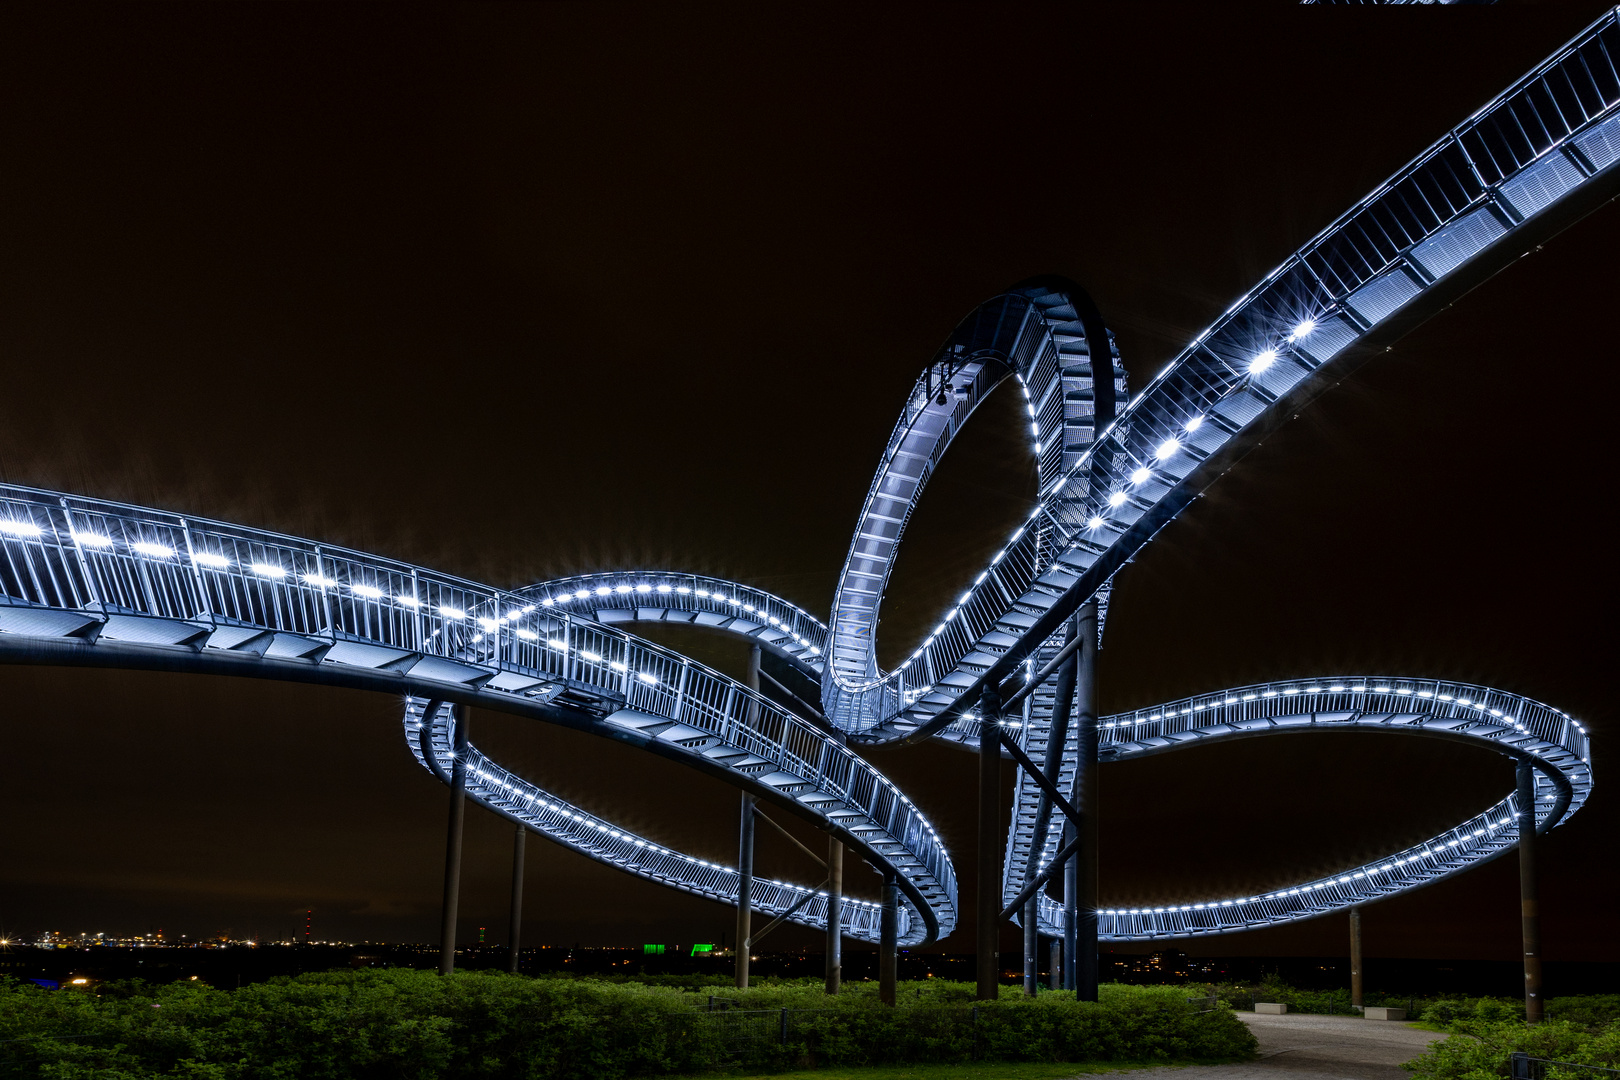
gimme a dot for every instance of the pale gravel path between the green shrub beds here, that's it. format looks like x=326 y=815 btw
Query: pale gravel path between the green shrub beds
x=1298 y=1047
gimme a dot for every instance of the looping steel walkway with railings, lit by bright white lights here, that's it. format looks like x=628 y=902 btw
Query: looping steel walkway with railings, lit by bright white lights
x=96 y=584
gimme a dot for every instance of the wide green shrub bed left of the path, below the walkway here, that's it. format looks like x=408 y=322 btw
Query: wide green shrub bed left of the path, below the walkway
x=417 y=1026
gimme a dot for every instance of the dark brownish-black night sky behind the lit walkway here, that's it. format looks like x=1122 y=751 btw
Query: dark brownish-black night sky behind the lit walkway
x=534 y=291
